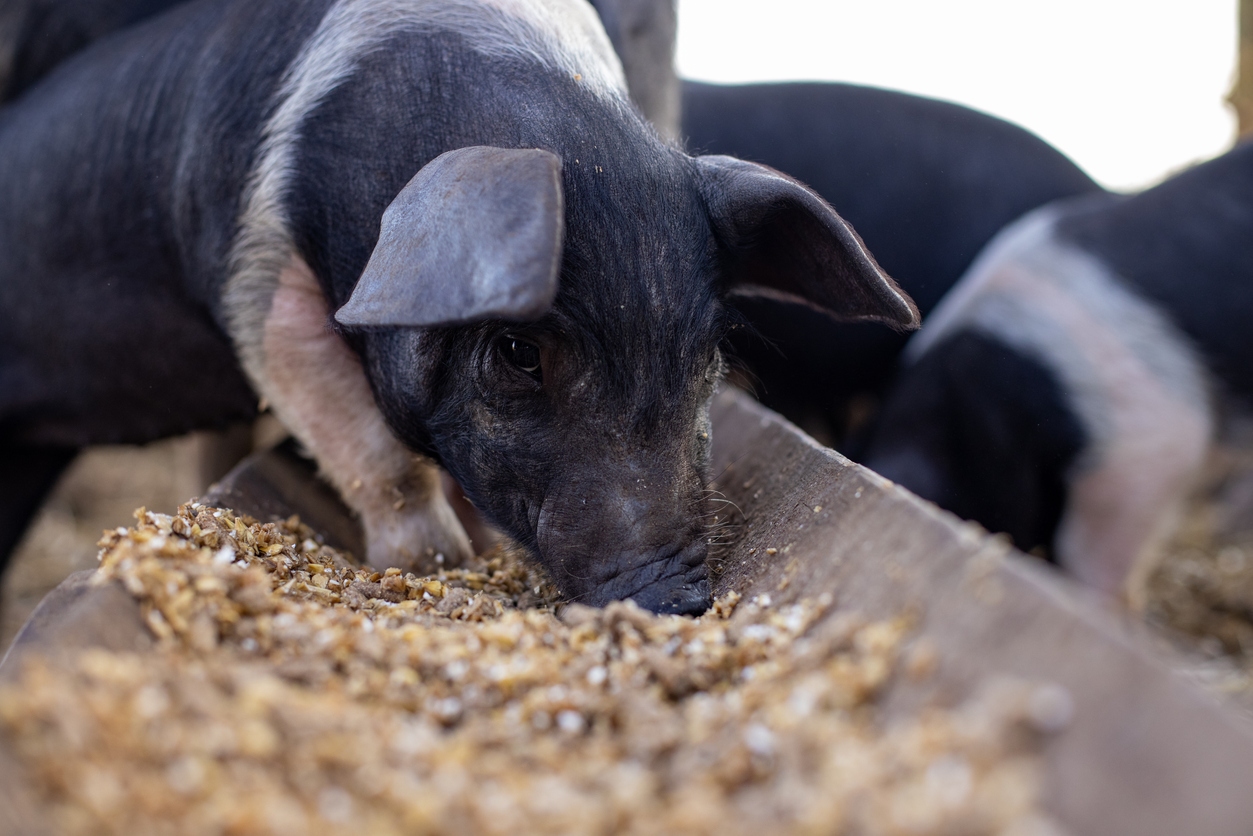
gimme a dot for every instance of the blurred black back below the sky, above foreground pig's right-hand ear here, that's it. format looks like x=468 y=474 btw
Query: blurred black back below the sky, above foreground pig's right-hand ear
x=925 y=184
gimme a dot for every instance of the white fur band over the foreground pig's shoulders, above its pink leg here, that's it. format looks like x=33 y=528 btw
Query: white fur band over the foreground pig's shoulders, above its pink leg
x=563 y=36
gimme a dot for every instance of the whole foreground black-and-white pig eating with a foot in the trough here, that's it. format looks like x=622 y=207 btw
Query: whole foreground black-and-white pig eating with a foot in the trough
x=424 y=231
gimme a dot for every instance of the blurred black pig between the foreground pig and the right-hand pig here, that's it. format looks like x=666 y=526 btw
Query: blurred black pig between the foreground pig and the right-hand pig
x=927 y=185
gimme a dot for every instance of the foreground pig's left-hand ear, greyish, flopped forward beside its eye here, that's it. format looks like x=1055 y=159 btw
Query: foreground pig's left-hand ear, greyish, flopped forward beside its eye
x=477 y=235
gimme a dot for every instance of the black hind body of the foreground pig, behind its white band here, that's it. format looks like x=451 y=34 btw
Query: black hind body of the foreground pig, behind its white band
x=121 y=177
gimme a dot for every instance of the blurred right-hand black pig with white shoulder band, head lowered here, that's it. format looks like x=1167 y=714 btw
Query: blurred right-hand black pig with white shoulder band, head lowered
x=1063 y=392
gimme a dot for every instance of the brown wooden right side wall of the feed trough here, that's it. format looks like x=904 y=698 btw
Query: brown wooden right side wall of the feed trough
x=1147 y=753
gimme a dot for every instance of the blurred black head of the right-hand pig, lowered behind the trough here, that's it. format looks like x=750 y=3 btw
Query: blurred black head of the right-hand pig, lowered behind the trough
x=985 y=432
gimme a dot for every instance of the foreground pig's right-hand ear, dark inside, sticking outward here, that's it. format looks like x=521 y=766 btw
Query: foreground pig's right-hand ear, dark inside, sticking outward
x=782 y=240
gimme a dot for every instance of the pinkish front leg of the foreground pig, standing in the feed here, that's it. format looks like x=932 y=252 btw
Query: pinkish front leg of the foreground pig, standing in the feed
x=318 y=388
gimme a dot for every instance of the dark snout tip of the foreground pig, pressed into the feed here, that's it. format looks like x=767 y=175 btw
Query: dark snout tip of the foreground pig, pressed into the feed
x=673 y=586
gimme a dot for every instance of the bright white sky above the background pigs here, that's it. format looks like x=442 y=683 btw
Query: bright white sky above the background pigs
x=1131 y=90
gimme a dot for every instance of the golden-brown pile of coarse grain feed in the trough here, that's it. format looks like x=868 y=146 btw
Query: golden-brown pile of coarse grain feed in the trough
x=293 y=692
